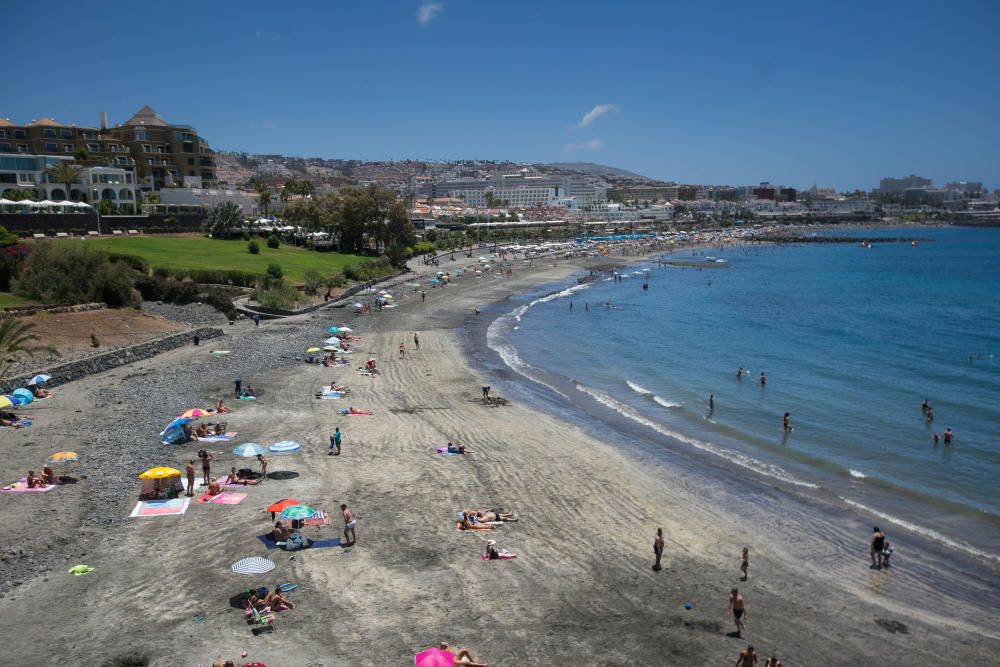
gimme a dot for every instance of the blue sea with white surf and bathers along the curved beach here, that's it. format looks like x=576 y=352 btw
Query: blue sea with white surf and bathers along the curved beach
x=851 y=340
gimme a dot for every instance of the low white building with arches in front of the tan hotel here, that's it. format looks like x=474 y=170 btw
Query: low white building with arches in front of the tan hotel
x=19 y=171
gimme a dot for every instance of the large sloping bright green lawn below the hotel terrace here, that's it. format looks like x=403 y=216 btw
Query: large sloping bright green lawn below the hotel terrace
x=198 y=252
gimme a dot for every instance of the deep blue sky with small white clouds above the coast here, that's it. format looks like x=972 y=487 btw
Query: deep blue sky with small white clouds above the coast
x=839 y=94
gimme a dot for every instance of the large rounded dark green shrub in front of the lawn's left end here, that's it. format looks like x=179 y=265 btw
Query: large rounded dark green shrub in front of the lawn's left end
x=76 y=274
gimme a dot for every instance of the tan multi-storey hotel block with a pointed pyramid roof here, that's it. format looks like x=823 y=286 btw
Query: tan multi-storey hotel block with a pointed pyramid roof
x=165 y=154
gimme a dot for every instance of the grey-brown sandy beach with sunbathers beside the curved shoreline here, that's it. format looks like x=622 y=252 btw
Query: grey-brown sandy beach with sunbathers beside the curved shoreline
x=581 y=591
